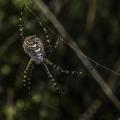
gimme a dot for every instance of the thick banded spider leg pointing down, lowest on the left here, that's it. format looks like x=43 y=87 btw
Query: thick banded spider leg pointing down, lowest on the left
x=27 y=76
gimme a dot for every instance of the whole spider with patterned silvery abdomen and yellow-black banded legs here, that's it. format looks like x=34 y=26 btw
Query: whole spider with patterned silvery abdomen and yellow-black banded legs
x=35 y=49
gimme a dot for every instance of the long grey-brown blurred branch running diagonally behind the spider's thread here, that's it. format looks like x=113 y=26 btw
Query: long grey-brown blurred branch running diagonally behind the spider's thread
x=107 y=90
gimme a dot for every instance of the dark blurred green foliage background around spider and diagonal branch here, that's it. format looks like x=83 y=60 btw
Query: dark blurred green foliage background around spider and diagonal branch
x=95 y=27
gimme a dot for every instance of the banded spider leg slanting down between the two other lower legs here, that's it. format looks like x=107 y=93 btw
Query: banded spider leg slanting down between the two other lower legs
x=52 y=80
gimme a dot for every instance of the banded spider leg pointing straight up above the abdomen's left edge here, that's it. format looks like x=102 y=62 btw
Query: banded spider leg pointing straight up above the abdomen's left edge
x=21 y=24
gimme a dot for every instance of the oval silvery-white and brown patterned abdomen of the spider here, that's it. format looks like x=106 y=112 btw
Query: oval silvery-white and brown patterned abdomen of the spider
x=33 y=46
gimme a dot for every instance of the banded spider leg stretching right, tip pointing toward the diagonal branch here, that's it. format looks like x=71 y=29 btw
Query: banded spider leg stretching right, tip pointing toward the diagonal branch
x=58 y=68
